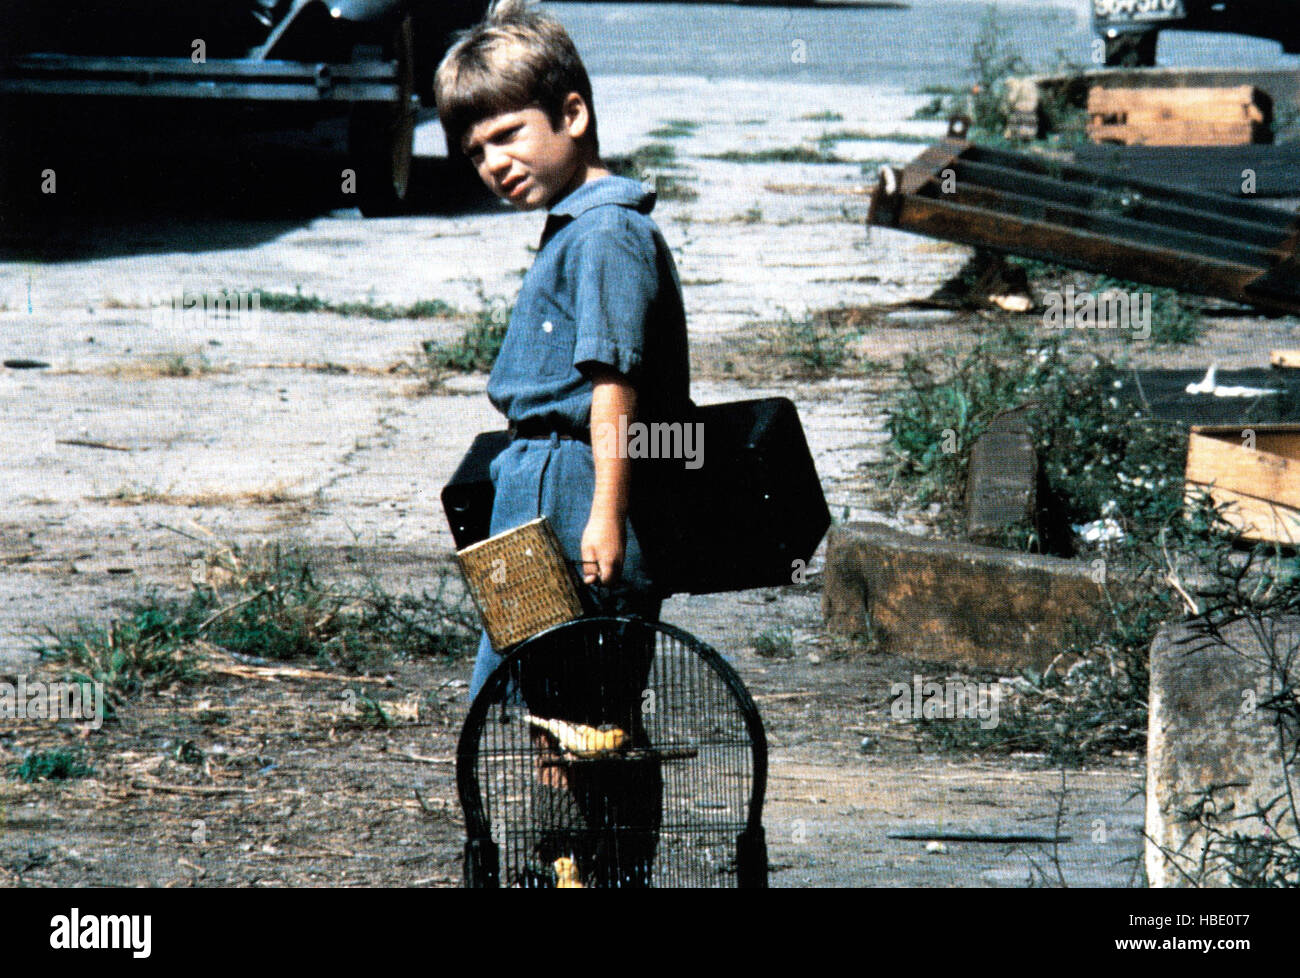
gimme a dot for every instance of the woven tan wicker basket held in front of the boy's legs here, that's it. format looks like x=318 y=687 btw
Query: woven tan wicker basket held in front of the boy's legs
x=521 y=583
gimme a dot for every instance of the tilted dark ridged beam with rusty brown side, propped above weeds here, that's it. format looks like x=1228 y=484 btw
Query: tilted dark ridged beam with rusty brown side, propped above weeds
x=1089 y=219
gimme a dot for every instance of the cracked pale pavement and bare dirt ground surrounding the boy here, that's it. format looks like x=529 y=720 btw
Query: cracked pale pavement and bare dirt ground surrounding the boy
x=311 y=429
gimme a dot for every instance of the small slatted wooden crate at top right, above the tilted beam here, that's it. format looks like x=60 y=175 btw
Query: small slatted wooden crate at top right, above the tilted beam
x=1180 y=116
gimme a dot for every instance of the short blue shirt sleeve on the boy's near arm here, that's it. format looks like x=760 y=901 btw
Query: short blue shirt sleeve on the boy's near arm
x=614 y=287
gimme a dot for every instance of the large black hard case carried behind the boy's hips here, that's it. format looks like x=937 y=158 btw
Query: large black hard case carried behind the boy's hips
x=749 y=517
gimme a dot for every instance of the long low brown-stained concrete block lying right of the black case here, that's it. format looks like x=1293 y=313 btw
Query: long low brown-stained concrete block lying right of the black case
x=956 y=603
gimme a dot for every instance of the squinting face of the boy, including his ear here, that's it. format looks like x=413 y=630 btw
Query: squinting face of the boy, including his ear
x=526 y=162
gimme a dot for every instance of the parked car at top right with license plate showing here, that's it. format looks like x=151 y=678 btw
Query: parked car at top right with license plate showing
x=1130 y=28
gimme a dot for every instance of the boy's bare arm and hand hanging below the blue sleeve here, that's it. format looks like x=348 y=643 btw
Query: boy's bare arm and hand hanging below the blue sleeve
x=614 y=399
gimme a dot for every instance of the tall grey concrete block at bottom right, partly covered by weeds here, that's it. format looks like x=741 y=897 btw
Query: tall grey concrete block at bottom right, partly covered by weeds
x=1208 y=732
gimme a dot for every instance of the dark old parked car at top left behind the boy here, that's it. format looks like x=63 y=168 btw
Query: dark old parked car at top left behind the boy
x=294 y=62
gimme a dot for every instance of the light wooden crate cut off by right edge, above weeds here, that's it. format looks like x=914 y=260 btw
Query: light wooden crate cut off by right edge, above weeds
x=1260 y=486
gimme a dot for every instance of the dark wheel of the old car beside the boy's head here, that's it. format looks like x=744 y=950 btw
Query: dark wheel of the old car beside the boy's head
x=382 y=140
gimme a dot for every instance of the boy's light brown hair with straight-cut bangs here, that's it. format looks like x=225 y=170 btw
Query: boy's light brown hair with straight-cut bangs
x=515 y=59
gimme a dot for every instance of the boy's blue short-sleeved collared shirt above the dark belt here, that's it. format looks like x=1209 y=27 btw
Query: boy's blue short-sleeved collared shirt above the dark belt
x=603 y=289
